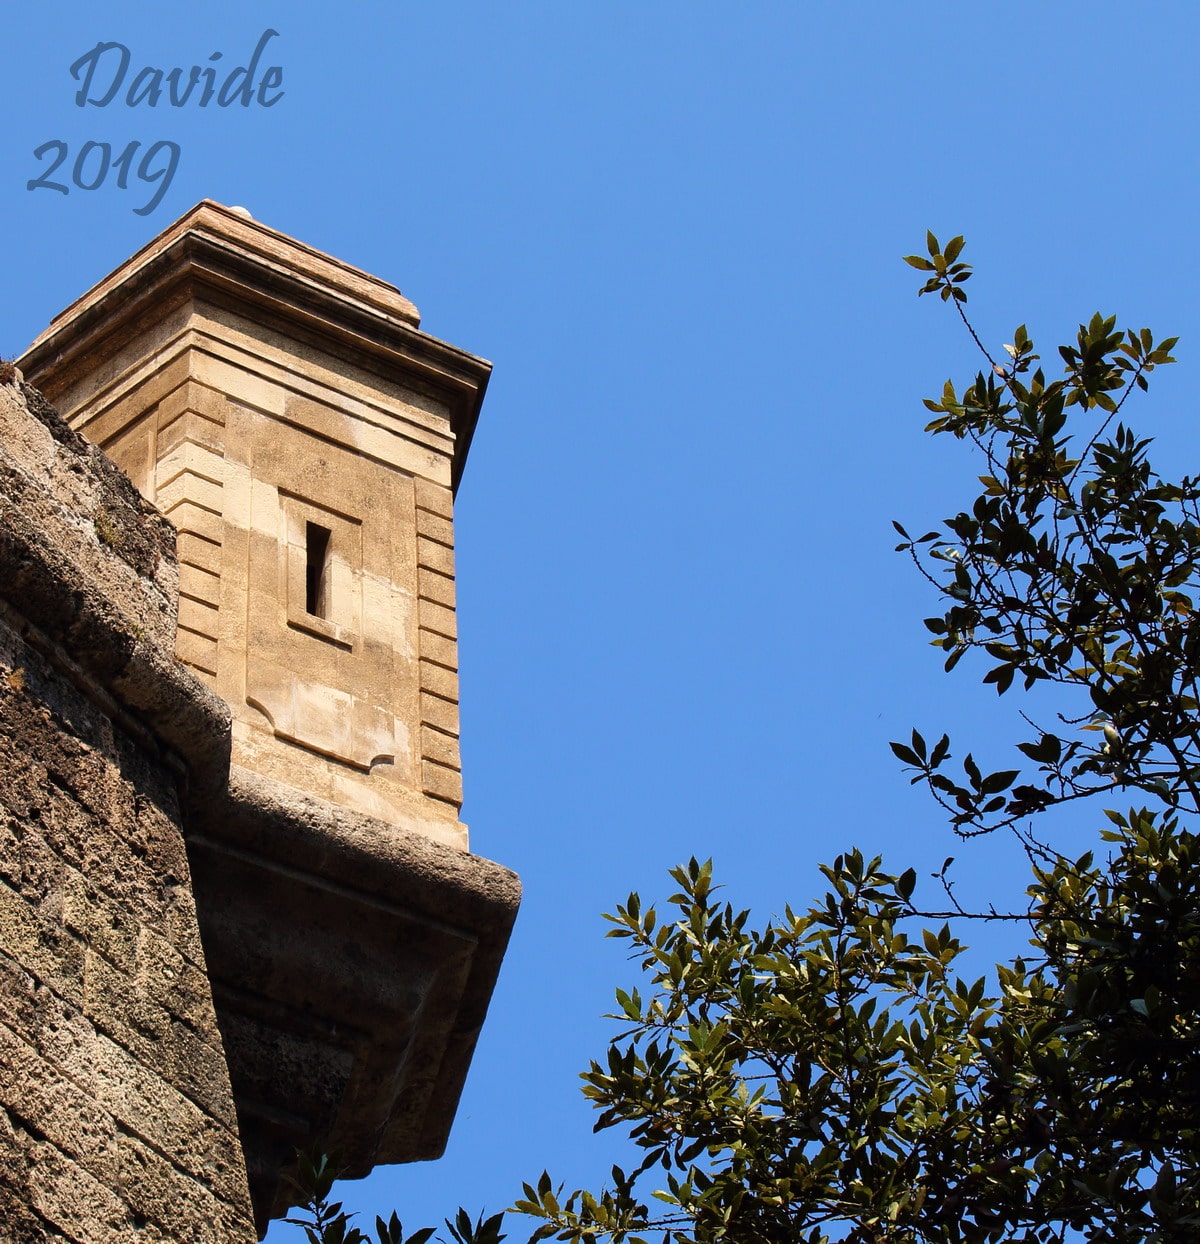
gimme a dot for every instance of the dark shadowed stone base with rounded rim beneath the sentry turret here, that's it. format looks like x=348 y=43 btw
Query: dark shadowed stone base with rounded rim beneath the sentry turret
x=375 y=950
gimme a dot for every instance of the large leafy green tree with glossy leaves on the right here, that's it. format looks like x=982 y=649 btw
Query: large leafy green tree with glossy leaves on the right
x=829 y=1077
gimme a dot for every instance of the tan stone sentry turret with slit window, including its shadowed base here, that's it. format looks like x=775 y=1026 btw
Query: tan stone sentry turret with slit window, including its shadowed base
x=285 y=412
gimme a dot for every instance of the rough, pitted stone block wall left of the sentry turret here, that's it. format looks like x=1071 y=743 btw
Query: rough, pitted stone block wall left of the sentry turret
x=118 y=1123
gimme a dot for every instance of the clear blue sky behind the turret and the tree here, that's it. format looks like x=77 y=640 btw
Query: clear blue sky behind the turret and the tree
x=676 y=230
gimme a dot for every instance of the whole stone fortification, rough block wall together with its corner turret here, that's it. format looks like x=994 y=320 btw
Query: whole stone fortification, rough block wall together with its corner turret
x=236 y=895
